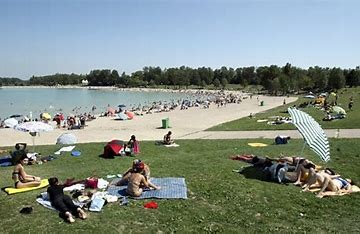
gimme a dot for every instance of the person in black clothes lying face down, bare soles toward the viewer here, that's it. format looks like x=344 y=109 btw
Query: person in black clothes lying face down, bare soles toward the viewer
x=62 y=202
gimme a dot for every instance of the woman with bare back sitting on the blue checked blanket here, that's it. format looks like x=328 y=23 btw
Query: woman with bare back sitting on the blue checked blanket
x=137 y=181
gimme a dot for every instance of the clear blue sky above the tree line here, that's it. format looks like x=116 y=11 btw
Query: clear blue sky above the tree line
x=75 y=36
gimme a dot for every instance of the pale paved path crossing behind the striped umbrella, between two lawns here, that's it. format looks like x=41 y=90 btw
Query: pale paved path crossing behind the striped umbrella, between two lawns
x=331 y=133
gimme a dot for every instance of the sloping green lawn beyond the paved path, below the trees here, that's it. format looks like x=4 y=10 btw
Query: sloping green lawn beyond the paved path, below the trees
x=350 y=122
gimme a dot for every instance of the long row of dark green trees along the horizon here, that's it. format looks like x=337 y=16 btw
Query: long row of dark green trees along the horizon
x=274 y=79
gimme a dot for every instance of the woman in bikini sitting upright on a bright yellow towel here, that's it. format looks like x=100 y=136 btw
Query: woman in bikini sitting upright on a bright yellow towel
x=21 y=178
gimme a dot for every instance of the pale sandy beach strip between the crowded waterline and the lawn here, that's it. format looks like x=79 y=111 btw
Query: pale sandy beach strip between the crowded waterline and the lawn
x=184 y=124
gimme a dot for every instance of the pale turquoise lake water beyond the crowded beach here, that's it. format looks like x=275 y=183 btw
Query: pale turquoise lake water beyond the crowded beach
x=75 y=100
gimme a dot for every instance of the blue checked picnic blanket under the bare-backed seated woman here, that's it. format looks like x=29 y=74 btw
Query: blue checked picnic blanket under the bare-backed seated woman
x=171 y=188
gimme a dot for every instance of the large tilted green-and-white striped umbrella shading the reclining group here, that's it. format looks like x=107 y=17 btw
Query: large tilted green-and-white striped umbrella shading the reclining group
x=312 y=132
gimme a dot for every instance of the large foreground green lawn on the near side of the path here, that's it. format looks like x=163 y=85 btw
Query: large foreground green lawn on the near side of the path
x=219 y=200
